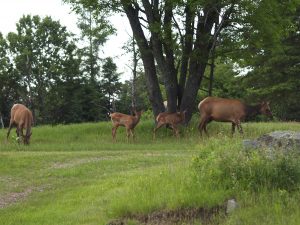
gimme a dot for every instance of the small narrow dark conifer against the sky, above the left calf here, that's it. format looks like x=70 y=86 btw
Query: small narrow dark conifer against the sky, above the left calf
x=110 y=84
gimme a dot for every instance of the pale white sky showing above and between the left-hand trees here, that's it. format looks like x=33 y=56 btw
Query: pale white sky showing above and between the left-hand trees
x=12 y=10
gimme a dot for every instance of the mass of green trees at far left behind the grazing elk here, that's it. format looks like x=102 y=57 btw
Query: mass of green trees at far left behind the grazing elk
x=42 y=67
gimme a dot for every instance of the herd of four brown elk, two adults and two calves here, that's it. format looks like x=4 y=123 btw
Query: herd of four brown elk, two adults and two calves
x=211 y=109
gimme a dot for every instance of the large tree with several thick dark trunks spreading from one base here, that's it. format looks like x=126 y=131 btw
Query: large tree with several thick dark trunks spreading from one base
x=182 y=35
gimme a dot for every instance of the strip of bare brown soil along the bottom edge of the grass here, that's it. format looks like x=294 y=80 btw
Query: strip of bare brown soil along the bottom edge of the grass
x=179 y=216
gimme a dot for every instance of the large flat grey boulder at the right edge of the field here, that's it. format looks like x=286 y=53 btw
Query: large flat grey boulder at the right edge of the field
x=285 y=140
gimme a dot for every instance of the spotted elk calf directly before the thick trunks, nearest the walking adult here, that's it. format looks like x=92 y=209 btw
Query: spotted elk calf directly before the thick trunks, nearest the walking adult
x=172 y=119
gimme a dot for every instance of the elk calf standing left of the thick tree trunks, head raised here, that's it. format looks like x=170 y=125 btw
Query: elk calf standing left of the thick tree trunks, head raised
x=128 y=121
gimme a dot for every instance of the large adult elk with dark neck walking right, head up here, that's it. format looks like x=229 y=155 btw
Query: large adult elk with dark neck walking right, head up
x=228 y=110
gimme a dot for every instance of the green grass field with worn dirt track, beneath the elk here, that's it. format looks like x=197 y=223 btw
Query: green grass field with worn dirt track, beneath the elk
x=75 y=174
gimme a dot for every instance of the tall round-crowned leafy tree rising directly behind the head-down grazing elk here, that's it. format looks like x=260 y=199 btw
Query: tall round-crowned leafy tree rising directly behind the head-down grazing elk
x=38 y=50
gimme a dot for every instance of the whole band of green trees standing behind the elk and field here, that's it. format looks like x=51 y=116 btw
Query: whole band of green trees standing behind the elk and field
x=182 y=51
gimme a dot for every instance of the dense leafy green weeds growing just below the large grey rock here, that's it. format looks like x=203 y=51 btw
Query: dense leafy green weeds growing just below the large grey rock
x=253 y=171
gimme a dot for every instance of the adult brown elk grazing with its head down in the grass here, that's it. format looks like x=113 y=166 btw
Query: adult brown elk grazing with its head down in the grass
x=21 y=116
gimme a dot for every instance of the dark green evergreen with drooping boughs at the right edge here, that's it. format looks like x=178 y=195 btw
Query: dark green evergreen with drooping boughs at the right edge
x=275 y=75
